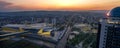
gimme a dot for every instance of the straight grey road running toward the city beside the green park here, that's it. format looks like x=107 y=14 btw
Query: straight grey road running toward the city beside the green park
x=63 y=41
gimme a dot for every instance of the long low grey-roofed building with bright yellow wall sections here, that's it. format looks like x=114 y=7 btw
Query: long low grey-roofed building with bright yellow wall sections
x=34 y=28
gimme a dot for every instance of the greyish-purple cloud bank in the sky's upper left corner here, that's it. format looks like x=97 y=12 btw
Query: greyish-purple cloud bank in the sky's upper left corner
x=7 y=6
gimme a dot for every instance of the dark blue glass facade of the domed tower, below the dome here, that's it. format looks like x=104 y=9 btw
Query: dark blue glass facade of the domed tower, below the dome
x=113 y=36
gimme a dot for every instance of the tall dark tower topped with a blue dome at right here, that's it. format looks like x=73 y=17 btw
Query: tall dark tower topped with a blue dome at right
x=109 y=30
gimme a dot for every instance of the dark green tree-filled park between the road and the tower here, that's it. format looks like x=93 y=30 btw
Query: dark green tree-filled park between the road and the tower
x=87 y=39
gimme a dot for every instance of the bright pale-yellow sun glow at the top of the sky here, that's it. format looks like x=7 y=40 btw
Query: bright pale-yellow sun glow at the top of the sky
x=67 y=3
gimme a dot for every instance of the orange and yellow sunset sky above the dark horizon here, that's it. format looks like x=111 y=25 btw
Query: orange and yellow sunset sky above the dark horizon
x=72 y=5
